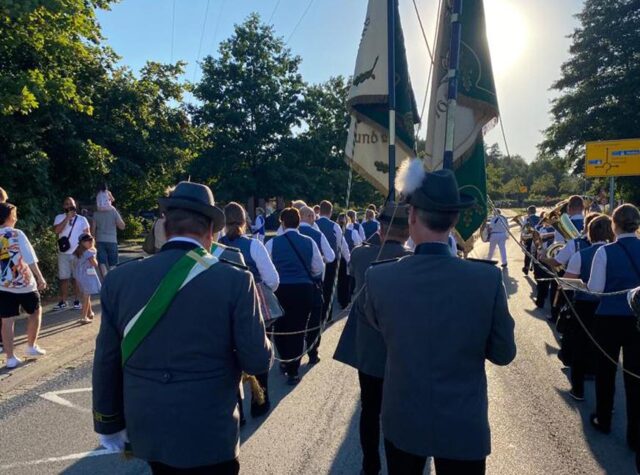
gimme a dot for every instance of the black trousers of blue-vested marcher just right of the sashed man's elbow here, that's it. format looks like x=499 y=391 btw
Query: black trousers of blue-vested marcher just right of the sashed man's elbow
x=296 y=300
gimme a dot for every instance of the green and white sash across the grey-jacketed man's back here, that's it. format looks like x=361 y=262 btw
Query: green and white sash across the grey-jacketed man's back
x=192 y=264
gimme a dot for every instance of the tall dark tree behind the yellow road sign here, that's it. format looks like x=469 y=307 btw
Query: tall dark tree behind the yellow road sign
x=599 y=85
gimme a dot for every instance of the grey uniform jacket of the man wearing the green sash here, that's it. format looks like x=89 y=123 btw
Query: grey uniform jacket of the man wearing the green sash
x=177 y=394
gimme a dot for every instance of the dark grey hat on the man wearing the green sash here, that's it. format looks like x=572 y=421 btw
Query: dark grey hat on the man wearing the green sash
x=197 y=198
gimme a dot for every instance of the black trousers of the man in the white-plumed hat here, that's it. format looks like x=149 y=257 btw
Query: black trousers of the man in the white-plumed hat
x=404 y=463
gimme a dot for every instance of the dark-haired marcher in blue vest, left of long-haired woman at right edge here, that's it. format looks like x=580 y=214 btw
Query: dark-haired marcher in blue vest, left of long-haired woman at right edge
x=583 y=352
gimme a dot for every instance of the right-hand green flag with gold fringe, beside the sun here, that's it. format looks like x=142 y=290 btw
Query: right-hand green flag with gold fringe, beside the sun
x=476 y=111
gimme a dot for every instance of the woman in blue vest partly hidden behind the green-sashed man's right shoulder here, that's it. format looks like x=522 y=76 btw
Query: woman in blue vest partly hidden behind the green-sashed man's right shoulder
x=264 y=272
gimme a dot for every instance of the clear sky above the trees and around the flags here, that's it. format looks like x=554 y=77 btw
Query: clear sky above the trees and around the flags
x=528 y=41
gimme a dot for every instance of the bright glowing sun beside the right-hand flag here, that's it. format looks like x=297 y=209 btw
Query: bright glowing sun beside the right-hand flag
x=507 y=32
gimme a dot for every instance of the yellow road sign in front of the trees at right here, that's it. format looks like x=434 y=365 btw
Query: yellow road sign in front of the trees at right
x=613 y=158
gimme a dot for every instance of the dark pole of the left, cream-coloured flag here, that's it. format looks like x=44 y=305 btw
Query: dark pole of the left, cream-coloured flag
x=391 y=81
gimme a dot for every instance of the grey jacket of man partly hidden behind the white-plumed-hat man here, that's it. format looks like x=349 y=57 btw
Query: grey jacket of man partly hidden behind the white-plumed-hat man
x=361 y=345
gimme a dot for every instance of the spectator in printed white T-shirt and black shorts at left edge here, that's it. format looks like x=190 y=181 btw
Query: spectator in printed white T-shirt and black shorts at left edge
x=20 y=284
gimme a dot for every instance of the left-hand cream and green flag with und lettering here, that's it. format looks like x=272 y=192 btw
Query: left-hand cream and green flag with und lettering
x=367 y=145
